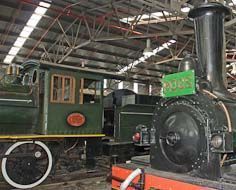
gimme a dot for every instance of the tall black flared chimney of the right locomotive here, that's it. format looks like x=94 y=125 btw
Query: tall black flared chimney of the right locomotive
x=210 y=45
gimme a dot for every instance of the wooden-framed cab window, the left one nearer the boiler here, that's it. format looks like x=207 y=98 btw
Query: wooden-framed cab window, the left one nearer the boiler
x=62 y=89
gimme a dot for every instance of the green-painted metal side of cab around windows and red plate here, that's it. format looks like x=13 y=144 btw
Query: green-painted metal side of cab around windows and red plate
x=54 y=114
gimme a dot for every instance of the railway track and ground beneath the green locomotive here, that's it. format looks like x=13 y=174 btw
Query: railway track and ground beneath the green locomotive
x=83 y=179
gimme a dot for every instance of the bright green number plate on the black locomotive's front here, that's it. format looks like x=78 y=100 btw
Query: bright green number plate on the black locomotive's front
x=179 y=84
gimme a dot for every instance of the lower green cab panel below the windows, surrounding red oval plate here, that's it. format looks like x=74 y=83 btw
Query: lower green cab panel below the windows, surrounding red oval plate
x=57 y=119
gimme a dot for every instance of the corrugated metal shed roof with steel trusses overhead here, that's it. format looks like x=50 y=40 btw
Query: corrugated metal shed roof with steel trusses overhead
x=90 y=31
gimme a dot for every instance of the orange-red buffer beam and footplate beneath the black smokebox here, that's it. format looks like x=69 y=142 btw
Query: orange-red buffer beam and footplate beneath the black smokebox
x=155 y=179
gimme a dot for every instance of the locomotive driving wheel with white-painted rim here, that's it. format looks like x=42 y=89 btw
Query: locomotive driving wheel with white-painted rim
x=26 y=164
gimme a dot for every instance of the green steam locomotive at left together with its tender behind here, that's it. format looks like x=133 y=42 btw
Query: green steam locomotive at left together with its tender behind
x=48 y=111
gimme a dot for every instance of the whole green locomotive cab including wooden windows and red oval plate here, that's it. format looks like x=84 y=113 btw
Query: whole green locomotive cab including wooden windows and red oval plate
x=66 y=93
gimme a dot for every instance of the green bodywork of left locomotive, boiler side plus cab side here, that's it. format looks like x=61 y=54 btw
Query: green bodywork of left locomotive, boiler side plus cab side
x=39 y=115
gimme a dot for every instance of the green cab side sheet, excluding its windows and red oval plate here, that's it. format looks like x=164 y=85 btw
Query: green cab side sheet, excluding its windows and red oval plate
x=56 y=121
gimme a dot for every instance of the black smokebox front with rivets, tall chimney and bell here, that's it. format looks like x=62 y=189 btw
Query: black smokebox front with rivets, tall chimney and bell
x=196 y=132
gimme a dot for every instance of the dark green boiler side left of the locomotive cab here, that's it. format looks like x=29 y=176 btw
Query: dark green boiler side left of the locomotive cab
x=18 y=109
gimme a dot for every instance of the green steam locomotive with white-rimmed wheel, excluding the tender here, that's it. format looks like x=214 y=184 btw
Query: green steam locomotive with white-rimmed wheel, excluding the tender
x=44 y=110
